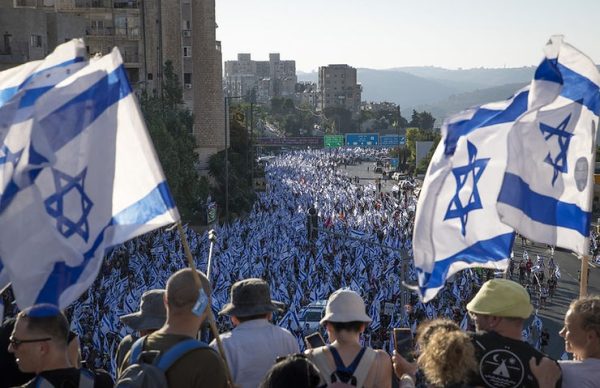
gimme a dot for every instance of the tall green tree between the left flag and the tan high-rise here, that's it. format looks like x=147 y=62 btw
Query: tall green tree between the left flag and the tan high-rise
x=170 y=127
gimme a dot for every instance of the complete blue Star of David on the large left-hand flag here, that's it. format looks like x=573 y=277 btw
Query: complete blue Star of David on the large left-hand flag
x=55 y=204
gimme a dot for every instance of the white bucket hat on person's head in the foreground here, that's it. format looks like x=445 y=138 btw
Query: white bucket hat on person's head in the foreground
x=345 y=306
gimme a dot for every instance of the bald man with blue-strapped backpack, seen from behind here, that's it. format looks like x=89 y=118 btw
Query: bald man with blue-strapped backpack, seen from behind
x=171 y=356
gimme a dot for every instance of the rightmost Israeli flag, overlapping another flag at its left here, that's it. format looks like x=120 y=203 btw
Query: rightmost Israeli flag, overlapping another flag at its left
x=548 y=185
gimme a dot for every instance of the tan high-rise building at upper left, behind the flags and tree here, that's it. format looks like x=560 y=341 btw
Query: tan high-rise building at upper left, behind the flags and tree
x=148 y=33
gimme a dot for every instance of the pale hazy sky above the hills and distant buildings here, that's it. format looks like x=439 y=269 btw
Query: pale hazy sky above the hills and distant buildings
x=382 y=34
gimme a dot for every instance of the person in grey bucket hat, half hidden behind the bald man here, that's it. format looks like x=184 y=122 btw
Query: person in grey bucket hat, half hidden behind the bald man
x=151 y=317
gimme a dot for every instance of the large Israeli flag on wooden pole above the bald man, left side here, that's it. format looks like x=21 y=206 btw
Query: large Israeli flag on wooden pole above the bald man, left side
x=87 y=179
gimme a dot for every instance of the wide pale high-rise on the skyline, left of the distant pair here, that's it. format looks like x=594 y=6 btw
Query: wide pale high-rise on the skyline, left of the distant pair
x=264 y=79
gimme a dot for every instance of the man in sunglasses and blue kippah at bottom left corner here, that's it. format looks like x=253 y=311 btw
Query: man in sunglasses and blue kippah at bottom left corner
x=39 y=342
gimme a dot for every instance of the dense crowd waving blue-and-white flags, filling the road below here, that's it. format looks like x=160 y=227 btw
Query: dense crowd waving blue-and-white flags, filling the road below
x=363 y=244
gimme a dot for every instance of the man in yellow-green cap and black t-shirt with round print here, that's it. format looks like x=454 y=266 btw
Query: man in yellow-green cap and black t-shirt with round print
x=499 y=310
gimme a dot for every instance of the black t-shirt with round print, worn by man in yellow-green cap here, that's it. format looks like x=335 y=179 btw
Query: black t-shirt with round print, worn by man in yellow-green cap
x=503 y=362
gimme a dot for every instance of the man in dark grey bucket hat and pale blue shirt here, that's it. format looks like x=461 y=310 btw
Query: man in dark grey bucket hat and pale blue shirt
x=252 y=347
